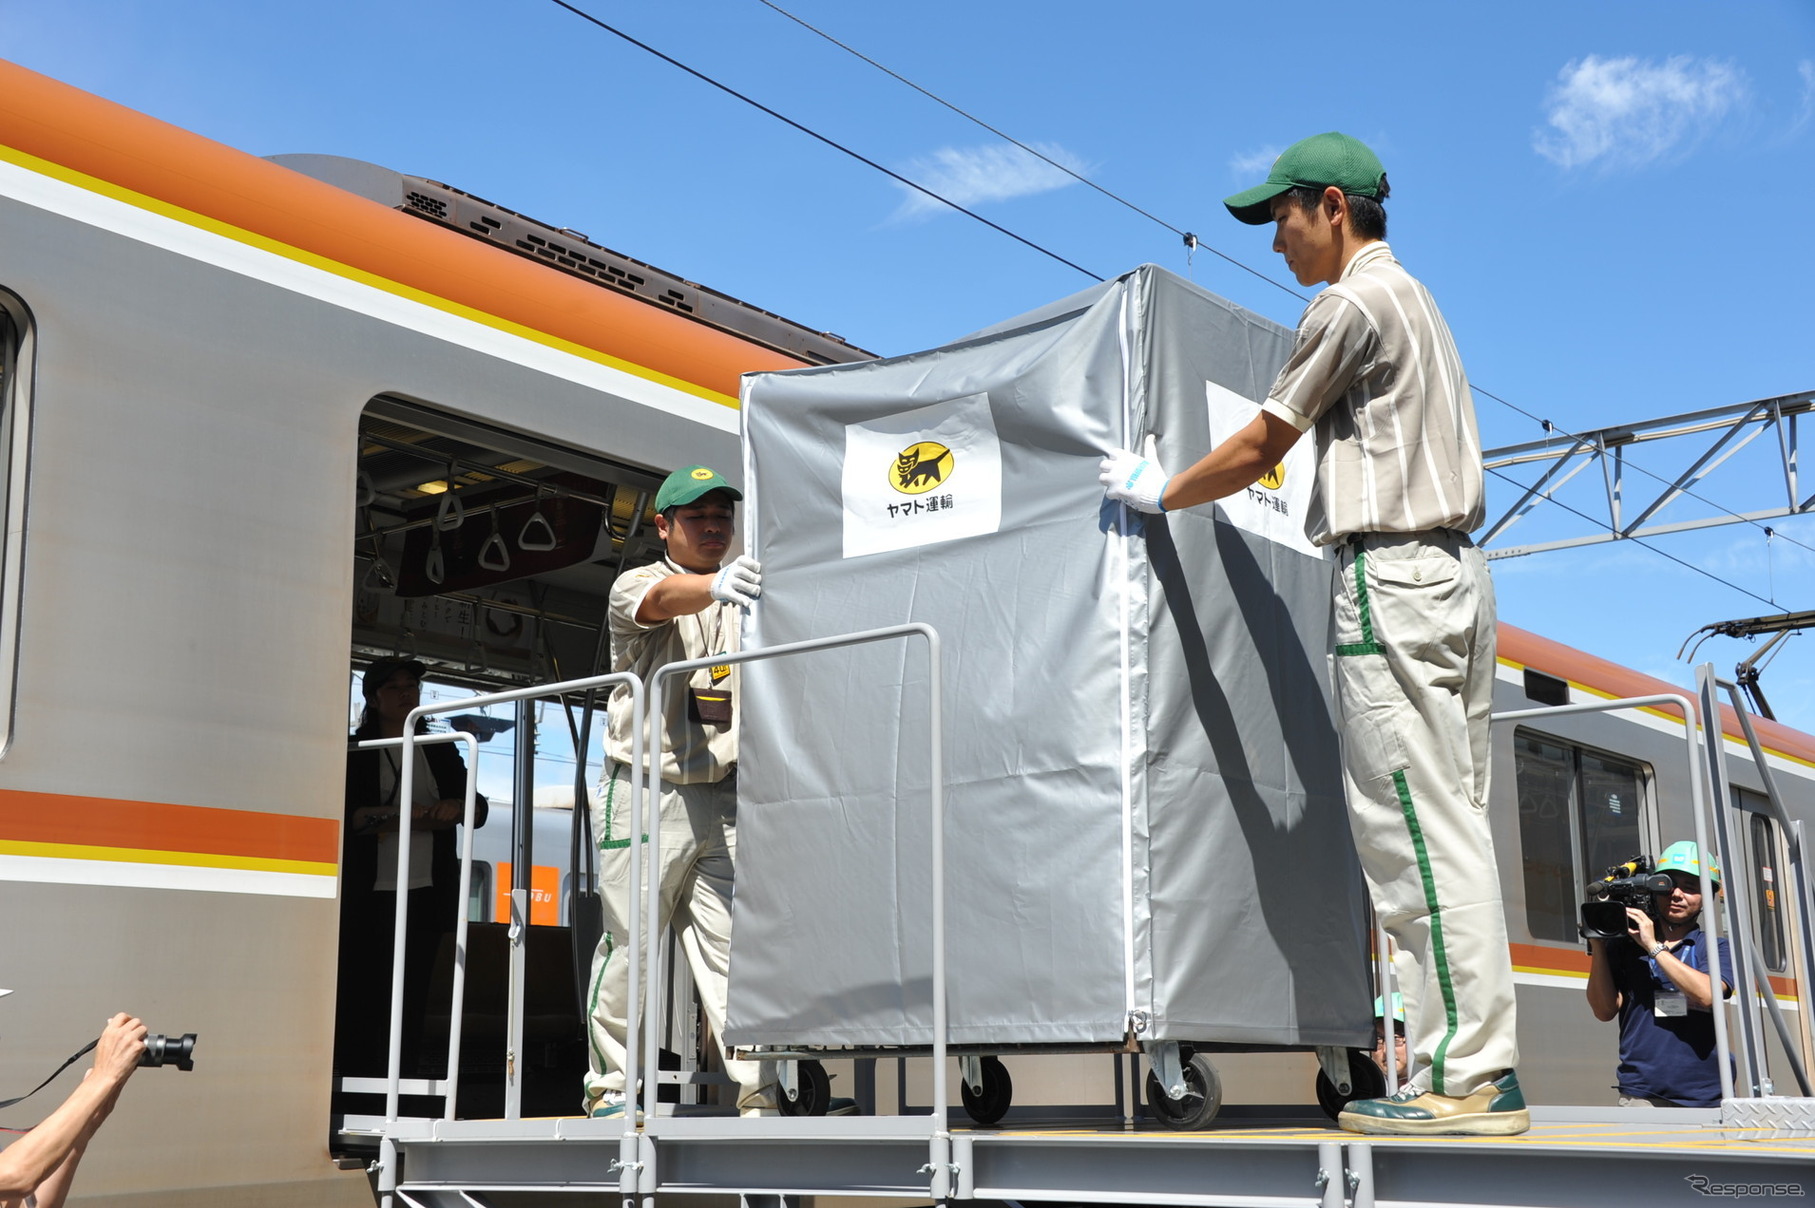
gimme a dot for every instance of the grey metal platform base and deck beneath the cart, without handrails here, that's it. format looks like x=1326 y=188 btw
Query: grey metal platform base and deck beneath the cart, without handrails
x=1573 y=1156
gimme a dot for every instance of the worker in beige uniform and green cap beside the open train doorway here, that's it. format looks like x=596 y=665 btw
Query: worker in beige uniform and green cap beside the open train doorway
x=685 y=607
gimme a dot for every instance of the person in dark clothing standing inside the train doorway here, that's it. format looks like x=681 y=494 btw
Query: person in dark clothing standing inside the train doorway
x=369 y=873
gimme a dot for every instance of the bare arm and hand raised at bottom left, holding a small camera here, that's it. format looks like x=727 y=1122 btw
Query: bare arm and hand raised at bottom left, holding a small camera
x=37 y=1169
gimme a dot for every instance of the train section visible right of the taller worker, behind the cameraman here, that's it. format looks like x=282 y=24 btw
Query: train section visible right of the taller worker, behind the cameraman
x=1584 y=792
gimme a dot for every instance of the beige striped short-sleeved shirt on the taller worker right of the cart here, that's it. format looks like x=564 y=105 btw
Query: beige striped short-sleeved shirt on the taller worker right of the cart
x=1375 y=369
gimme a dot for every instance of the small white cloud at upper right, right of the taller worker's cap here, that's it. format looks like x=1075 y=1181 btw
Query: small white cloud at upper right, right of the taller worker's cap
x=1629 y=112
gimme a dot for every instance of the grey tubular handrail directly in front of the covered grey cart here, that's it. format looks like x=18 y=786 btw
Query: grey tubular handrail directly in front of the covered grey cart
x=941 y=1140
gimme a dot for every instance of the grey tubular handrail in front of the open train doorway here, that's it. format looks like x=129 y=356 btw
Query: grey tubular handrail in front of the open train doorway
x=518 y=893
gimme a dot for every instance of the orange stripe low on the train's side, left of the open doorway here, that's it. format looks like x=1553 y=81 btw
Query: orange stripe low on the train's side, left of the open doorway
x=157 y=826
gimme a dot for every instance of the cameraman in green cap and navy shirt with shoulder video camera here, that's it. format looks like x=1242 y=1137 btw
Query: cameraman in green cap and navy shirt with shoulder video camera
x=1656 y=980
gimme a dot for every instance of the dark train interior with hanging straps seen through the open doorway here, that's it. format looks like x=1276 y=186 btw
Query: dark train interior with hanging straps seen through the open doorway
x=487 y=556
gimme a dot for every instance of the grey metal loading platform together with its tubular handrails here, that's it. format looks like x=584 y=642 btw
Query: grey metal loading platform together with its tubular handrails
x=1758 y=1147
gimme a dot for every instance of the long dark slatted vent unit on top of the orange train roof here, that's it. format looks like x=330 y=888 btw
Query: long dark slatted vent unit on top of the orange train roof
x=573 y=253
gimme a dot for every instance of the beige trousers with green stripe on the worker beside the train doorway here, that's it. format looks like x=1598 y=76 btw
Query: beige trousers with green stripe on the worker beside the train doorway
x=700 y=846
